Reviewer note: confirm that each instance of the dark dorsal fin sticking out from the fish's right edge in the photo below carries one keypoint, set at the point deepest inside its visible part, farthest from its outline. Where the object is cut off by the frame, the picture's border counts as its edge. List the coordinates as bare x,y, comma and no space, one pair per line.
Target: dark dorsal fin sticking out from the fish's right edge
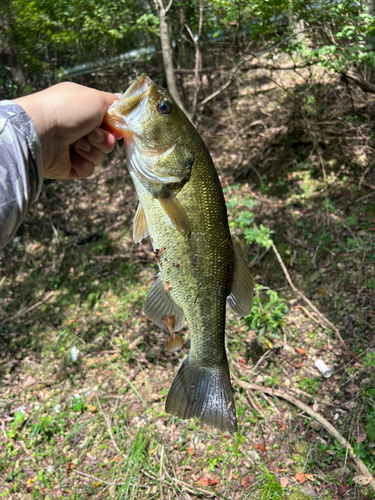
240,299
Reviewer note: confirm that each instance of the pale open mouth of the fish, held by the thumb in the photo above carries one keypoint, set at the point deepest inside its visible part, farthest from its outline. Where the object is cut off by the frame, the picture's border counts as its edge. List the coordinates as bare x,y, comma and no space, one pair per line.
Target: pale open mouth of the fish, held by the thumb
118,114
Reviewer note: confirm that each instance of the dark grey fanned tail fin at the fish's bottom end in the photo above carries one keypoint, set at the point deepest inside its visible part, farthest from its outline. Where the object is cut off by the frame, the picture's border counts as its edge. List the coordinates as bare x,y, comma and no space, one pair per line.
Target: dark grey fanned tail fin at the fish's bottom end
205,393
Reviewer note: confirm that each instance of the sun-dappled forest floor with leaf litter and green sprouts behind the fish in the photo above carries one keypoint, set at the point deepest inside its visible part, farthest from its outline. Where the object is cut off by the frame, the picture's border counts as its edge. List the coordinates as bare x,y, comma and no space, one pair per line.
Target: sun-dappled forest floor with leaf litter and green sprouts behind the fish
84,375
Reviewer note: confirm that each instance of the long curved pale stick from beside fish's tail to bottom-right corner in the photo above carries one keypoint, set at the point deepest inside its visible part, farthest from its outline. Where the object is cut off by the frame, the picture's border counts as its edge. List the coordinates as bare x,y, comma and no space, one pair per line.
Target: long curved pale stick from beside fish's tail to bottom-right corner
327,425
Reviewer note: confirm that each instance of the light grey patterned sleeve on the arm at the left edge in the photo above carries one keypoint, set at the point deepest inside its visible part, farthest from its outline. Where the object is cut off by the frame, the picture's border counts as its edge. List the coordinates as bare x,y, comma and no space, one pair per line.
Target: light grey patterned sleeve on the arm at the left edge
21,169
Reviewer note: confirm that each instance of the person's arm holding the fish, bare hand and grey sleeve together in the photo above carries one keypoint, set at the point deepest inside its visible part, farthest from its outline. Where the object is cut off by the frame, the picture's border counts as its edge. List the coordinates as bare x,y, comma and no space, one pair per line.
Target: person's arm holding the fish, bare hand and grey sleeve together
55,134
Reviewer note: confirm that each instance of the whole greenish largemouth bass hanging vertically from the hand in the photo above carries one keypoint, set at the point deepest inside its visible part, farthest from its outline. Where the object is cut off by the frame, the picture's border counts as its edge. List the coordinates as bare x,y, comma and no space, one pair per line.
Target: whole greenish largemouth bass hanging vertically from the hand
182,209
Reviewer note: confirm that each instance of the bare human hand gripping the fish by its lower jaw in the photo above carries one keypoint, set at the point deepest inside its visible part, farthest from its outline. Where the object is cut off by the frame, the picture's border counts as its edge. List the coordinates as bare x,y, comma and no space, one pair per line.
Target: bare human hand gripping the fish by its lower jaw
67,117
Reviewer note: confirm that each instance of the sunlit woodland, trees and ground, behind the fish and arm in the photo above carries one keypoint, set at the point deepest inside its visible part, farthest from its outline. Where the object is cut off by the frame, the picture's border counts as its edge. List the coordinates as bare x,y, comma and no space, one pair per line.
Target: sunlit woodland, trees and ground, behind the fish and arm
283,94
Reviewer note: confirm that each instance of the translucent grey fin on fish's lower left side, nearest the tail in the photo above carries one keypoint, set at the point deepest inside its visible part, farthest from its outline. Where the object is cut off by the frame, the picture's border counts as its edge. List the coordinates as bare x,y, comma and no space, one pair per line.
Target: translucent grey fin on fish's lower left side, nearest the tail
160,303
